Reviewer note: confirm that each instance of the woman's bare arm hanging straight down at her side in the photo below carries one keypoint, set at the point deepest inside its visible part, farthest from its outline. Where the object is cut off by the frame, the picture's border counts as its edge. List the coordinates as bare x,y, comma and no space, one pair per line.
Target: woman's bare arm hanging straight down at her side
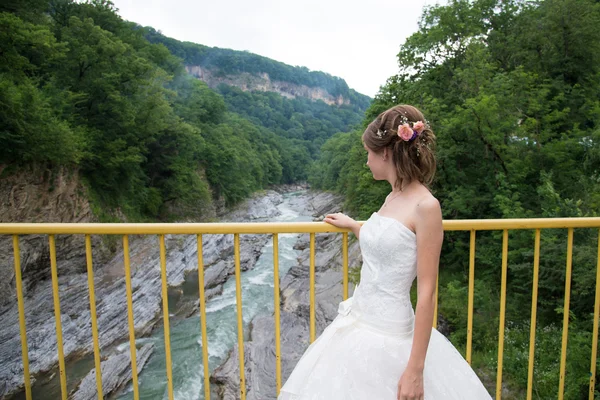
430,234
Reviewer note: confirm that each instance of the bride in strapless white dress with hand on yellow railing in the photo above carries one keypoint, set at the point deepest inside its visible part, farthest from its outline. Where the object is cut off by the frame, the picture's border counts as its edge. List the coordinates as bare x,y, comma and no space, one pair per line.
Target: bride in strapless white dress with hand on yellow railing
378,347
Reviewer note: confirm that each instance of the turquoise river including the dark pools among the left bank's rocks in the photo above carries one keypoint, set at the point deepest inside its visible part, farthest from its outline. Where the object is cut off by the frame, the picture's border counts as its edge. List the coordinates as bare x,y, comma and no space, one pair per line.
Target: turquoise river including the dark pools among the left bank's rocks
186,342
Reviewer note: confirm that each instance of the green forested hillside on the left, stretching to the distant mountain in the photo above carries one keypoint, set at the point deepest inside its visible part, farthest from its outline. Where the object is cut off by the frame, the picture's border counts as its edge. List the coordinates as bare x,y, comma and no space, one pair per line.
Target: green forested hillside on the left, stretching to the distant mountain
81,87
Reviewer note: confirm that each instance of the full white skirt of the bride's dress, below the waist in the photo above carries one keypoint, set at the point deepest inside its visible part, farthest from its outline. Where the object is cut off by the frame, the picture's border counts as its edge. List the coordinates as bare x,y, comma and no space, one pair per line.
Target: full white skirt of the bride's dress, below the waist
354,360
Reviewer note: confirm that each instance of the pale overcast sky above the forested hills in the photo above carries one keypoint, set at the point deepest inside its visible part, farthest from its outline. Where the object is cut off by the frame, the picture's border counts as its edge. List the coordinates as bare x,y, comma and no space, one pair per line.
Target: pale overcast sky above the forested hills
357,40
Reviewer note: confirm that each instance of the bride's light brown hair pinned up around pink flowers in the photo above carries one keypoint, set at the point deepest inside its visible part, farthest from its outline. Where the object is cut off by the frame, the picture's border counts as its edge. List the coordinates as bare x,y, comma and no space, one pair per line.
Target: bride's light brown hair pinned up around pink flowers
415,159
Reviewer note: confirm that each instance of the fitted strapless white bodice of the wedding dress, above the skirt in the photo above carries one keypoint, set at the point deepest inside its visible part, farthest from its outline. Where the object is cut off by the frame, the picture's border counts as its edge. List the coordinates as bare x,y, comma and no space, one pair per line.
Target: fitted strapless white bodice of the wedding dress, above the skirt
389,251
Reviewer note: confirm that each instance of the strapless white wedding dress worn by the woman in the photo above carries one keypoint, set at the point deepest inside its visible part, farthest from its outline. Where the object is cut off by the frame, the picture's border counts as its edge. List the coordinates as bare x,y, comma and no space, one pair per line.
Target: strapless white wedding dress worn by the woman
364,351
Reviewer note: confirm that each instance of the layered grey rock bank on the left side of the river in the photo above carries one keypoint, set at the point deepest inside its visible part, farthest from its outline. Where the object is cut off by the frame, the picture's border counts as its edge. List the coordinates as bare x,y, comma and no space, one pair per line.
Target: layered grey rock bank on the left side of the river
111,298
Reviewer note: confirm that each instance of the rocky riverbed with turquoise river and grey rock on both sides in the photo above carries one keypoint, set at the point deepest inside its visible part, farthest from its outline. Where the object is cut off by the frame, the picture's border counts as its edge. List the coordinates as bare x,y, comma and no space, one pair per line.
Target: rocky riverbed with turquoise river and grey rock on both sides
183,294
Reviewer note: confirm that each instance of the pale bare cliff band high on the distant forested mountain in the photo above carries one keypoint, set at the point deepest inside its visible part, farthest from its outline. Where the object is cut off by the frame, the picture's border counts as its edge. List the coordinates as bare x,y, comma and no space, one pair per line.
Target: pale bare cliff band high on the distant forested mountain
263,83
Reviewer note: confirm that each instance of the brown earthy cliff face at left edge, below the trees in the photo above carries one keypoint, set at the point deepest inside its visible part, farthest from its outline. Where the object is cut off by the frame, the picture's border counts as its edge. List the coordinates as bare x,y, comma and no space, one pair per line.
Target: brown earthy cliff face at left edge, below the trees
38,194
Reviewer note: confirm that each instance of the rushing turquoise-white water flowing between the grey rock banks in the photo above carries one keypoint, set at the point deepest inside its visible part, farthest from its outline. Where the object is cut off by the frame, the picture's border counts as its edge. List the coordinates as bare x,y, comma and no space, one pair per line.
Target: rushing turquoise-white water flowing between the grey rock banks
221,318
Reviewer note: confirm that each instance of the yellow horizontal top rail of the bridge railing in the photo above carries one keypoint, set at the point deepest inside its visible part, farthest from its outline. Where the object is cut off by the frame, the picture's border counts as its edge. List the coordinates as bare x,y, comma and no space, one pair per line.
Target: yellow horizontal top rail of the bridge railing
275,227
